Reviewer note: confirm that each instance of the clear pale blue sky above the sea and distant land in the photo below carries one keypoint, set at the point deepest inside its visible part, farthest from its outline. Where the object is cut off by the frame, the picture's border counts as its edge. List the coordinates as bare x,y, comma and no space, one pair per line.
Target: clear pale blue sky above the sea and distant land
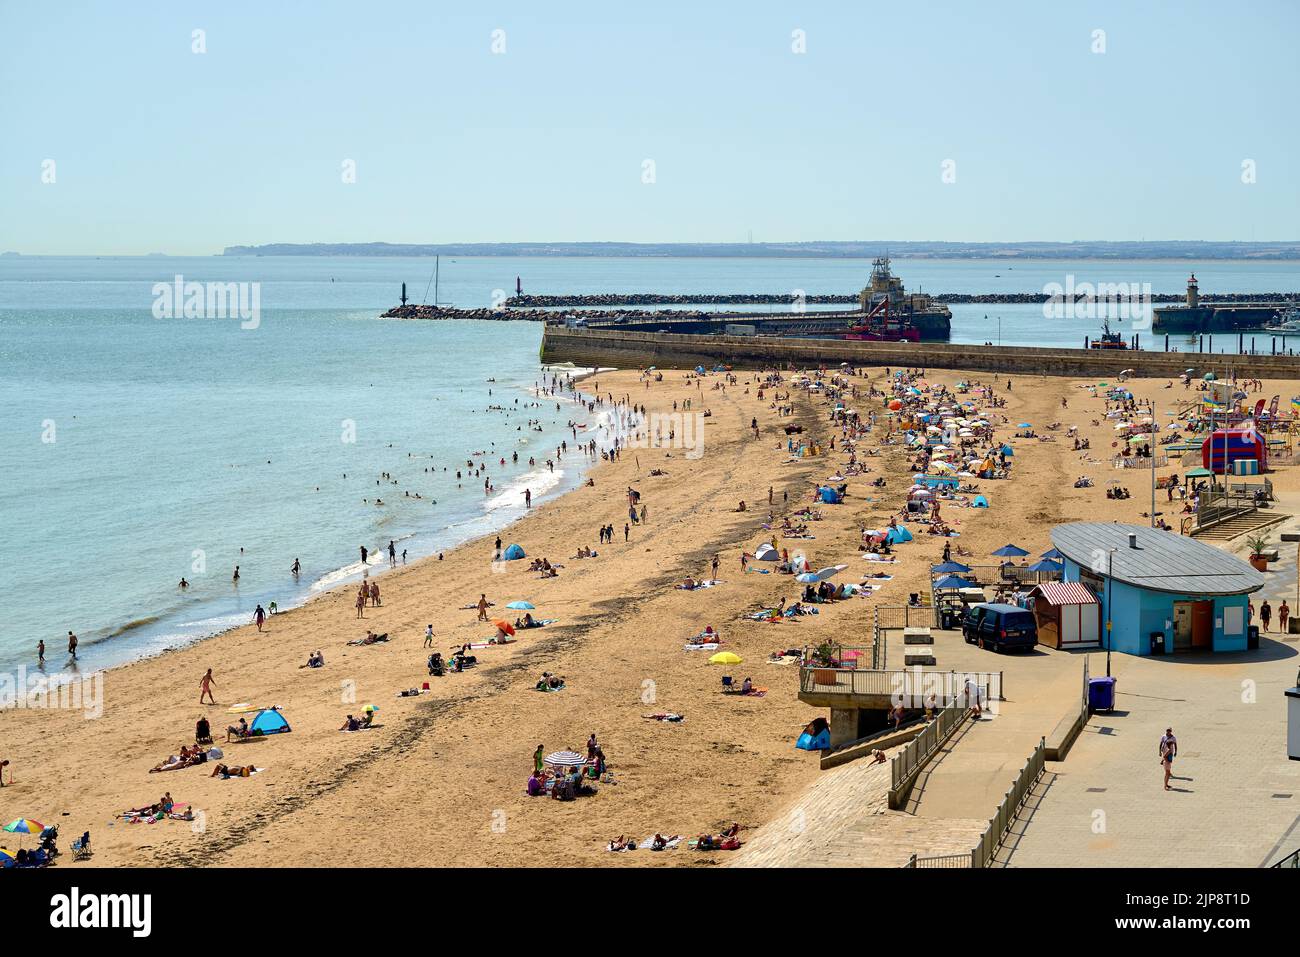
644,123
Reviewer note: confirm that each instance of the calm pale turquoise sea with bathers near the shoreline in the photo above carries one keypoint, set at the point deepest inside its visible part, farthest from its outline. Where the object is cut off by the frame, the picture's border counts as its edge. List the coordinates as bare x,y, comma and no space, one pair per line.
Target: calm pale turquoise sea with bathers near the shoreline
177,443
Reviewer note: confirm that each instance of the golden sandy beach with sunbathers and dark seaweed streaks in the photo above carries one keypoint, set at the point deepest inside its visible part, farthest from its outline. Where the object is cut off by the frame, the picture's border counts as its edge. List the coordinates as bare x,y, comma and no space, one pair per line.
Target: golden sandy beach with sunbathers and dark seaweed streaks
441,780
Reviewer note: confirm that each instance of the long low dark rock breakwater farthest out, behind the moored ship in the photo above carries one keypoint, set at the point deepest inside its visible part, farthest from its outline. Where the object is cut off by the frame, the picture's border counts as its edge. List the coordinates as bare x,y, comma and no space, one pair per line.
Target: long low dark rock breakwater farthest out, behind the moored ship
616,300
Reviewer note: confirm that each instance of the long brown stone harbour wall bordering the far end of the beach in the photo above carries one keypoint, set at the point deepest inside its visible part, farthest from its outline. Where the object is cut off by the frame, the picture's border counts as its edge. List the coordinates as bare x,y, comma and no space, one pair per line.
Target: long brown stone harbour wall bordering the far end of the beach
629,350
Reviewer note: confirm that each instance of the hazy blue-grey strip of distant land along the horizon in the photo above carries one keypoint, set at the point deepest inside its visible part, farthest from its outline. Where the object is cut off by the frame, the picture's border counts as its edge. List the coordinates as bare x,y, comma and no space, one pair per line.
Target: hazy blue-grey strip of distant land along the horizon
1091,250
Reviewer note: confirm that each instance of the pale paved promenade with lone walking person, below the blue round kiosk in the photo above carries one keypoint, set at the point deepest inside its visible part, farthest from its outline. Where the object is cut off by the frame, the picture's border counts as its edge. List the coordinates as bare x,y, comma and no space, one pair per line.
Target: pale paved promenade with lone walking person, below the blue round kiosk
1236,800
